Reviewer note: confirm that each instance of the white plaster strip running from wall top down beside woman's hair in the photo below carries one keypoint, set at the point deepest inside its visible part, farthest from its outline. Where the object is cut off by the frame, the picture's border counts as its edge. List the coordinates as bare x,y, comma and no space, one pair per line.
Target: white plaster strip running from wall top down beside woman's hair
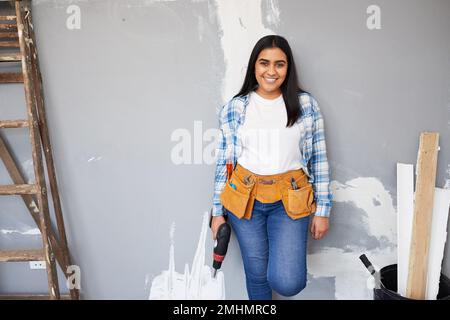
242,26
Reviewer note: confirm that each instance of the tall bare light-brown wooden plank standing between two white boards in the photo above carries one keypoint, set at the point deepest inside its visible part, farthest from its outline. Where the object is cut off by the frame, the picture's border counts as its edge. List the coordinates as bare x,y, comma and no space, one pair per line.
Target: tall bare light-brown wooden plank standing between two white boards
423,209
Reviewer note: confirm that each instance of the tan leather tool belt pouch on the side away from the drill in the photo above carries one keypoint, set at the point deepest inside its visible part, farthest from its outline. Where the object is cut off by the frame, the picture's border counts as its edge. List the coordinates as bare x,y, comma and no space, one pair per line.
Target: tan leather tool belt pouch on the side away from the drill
299,203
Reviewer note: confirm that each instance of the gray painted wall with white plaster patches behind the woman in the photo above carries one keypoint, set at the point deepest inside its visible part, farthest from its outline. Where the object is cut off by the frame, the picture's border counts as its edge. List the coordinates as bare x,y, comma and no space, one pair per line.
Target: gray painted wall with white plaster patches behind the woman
139,71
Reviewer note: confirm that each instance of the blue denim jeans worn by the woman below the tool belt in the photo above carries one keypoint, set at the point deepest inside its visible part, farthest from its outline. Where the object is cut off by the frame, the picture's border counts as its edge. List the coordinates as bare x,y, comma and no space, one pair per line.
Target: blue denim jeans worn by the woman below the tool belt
273,249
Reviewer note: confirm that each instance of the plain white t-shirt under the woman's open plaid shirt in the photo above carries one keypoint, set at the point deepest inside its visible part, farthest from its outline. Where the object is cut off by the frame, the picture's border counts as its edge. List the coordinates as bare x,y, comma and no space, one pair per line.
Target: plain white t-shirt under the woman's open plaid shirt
268,147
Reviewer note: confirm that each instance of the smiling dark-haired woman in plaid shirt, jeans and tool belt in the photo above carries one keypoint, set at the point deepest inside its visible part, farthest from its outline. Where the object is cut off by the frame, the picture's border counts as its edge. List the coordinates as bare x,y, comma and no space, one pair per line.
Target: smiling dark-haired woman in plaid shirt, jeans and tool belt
272,137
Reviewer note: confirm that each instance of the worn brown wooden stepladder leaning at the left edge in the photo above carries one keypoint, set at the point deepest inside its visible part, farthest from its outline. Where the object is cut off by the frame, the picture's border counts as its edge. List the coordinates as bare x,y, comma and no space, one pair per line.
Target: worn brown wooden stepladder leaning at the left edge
17,36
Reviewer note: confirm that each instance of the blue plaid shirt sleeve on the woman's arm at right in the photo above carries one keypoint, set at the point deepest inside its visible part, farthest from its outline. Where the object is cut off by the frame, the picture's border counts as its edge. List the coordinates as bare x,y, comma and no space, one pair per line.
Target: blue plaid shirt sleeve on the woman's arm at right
319,167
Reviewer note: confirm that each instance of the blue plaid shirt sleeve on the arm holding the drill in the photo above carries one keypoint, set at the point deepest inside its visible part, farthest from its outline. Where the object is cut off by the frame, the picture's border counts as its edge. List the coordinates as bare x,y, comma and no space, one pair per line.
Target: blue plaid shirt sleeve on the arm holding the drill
220,176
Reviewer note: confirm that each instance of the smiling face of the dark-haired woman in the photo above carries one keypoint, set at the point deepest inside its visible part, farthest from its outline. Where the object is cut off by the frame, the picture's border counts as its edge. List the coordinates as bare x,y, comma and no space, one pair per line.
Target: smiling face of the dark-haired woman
270,71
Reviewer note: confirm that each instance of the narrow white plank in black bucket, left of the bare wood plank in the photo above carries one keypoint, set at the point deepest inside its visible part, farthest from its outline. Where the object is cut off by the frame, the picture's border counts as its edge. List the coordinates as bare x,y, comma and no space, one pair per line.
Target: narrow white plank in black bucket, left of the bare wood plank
405,209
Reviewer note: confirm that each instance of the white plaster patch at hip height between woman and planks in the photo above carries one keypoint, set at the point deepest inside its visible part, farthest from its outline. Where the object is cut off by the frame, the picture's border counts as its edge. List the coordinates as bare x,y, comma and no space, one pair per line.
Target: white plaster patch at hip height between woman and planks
369,194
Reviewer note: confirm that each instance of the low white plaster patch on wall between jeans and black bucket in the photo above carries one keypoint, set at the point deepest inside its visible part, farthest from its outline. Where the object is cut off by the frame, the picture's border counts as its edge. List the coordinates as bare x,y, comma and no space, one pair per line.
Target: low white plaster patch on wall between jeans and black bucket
351,277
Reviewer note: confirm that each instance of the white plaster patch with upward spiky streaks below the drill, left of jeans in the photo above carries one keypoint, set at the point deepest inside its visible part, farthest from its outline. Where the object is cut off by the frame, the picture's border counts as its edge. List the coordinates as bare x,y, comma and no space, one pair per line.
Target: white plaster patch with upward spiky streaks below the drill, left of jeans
197,284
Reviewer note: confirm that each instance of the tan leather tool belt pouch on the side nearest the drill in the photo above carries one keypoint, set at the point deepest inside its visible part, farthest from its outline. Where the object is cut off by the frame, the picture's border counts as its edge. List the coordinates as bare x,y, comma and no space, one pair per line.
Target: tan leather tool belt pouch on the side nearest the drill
237,199
